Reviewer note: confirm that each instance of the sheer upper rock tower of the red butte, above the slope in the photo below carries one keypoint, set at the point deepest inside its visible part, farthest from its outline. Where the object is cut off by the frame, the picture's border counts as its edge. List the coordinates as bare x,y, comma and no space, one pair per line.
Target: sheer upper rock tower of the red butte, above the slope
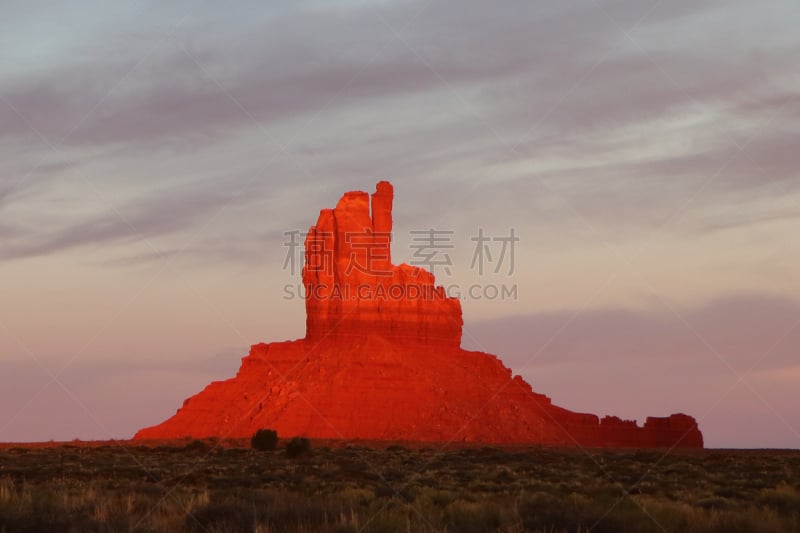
352,287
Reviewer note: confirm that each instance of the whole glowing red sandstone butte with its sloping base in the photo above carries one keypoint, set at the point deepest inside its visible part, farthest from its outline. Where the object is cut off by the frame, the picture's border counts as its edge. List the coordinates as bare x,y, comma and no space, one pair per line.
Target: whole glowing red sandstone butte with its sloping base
382,360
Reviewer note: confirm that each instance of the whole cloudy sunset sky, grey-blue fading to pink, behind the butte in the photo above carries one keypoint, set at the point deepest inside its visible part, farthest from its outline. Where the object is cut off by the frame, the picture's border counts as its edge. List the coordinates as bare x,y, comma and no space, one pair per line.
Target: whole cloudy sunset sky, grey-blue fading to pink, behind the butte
154,155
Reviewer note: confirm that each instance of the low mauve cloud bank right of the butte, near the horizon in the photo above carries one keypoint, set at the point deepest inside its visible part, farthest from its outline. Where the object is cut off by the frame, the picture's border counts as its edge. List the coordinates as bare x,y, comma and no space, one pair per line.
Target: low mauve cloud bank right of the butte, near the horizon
740,329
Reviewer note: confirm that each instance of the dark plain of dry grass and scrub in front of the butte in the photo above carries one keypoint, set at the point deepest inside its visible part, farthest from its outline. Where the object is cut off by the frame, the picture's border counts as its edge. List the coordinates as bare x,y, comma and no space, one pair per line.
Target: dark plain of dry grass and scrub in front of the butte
199,487
